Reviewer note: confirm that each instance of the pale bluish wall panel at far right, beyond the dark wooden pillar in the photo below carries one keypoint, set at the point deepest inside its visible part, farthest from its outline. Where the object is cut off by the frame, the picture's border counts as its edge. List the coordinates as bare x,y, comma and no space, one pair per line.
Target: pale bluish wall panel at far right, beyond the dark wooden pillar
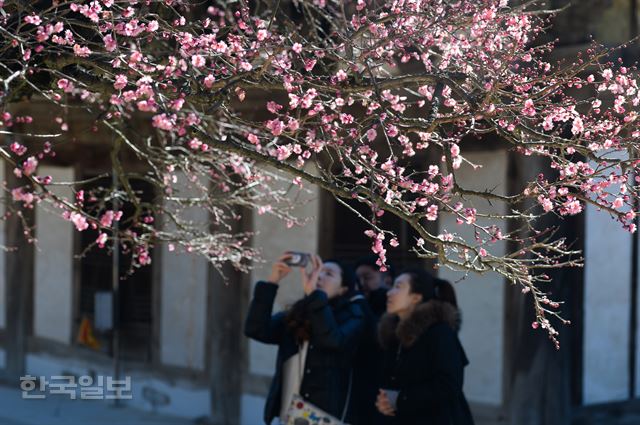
607,277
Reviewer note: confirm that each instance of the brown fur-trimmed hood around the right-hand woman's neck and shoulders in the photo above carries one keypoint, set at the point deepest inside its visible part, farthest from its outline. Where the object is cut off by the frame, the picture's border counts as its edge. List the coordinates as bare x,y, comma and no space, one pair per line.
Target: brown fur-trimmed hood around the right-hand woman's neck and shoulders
425,315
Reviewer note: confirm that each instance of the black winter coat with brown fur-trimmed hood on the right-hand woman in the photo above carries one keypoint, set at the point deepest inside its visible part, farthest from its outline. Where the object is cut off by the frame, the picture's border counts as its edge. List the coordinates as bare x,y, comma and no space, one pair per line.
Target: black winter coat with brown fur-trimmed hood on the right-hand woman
425,361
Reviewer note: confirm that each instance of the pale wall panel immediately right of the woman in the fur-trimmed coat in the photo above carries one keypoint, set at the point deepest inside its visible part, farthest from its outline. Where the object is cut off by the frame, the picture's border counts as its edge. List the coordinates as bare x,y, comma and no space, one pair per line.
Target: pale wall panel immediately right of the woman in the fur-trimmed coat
481,297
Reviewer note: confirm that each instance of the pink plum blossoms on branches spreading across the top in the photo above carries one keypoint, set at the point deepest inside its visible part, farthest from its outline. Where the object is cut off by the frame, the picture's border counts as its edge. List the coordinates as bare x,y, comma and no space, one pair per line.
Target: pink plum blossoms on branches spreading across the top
380,100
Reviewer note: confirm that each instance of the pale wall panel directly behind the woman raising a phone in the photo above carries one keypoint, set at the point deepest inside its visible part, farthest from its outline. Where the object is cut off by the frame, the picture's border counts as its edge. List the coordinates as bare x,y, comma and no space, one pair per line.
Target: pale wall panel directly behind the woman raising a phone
273,238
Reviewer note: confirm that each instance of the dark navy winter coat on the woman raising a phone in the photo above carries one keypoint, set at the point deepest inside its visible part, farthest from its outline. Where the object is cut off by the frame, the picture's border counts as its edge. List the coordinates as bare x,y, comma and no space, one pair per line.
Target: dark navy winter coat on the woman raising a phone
335,332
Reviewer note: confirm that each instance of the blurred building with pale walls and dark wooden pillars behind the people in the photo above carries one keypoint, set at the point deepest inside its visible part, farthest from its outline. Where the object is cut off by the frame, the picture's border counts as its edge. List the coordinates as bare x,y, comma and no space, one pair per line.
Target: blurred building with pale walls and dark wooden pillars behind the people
181,326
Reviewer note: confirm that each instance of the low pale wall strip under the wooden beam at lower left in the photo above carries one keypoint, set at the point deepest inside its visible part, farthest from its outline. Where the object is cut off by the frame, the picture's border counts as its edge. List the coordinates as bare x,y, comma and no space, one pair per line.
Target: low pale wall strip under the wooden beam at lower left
185,398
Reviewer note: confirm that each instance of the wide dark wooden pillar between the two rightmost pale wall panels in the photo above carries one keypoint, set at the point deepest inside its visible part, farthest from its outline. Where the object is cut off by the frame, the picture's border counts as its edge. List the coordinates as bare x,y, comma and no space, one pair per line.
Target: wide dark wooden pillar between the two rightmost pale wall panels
542,384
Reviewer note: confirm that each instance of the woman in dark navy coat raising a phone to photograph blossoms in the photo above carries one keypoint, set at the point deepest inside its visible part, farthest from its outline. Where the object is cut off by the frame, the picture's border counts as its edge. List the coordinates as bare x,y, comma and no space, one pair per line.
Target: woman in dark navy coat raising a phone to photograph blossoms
317,337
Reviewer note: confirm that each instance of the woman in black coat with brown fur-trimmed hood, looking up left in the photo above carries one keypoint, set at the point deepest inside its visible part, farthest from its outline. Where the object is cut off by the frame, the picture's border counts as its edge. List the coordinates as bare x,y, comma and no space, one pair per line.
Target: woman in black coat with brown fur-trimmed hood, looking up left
424,360
